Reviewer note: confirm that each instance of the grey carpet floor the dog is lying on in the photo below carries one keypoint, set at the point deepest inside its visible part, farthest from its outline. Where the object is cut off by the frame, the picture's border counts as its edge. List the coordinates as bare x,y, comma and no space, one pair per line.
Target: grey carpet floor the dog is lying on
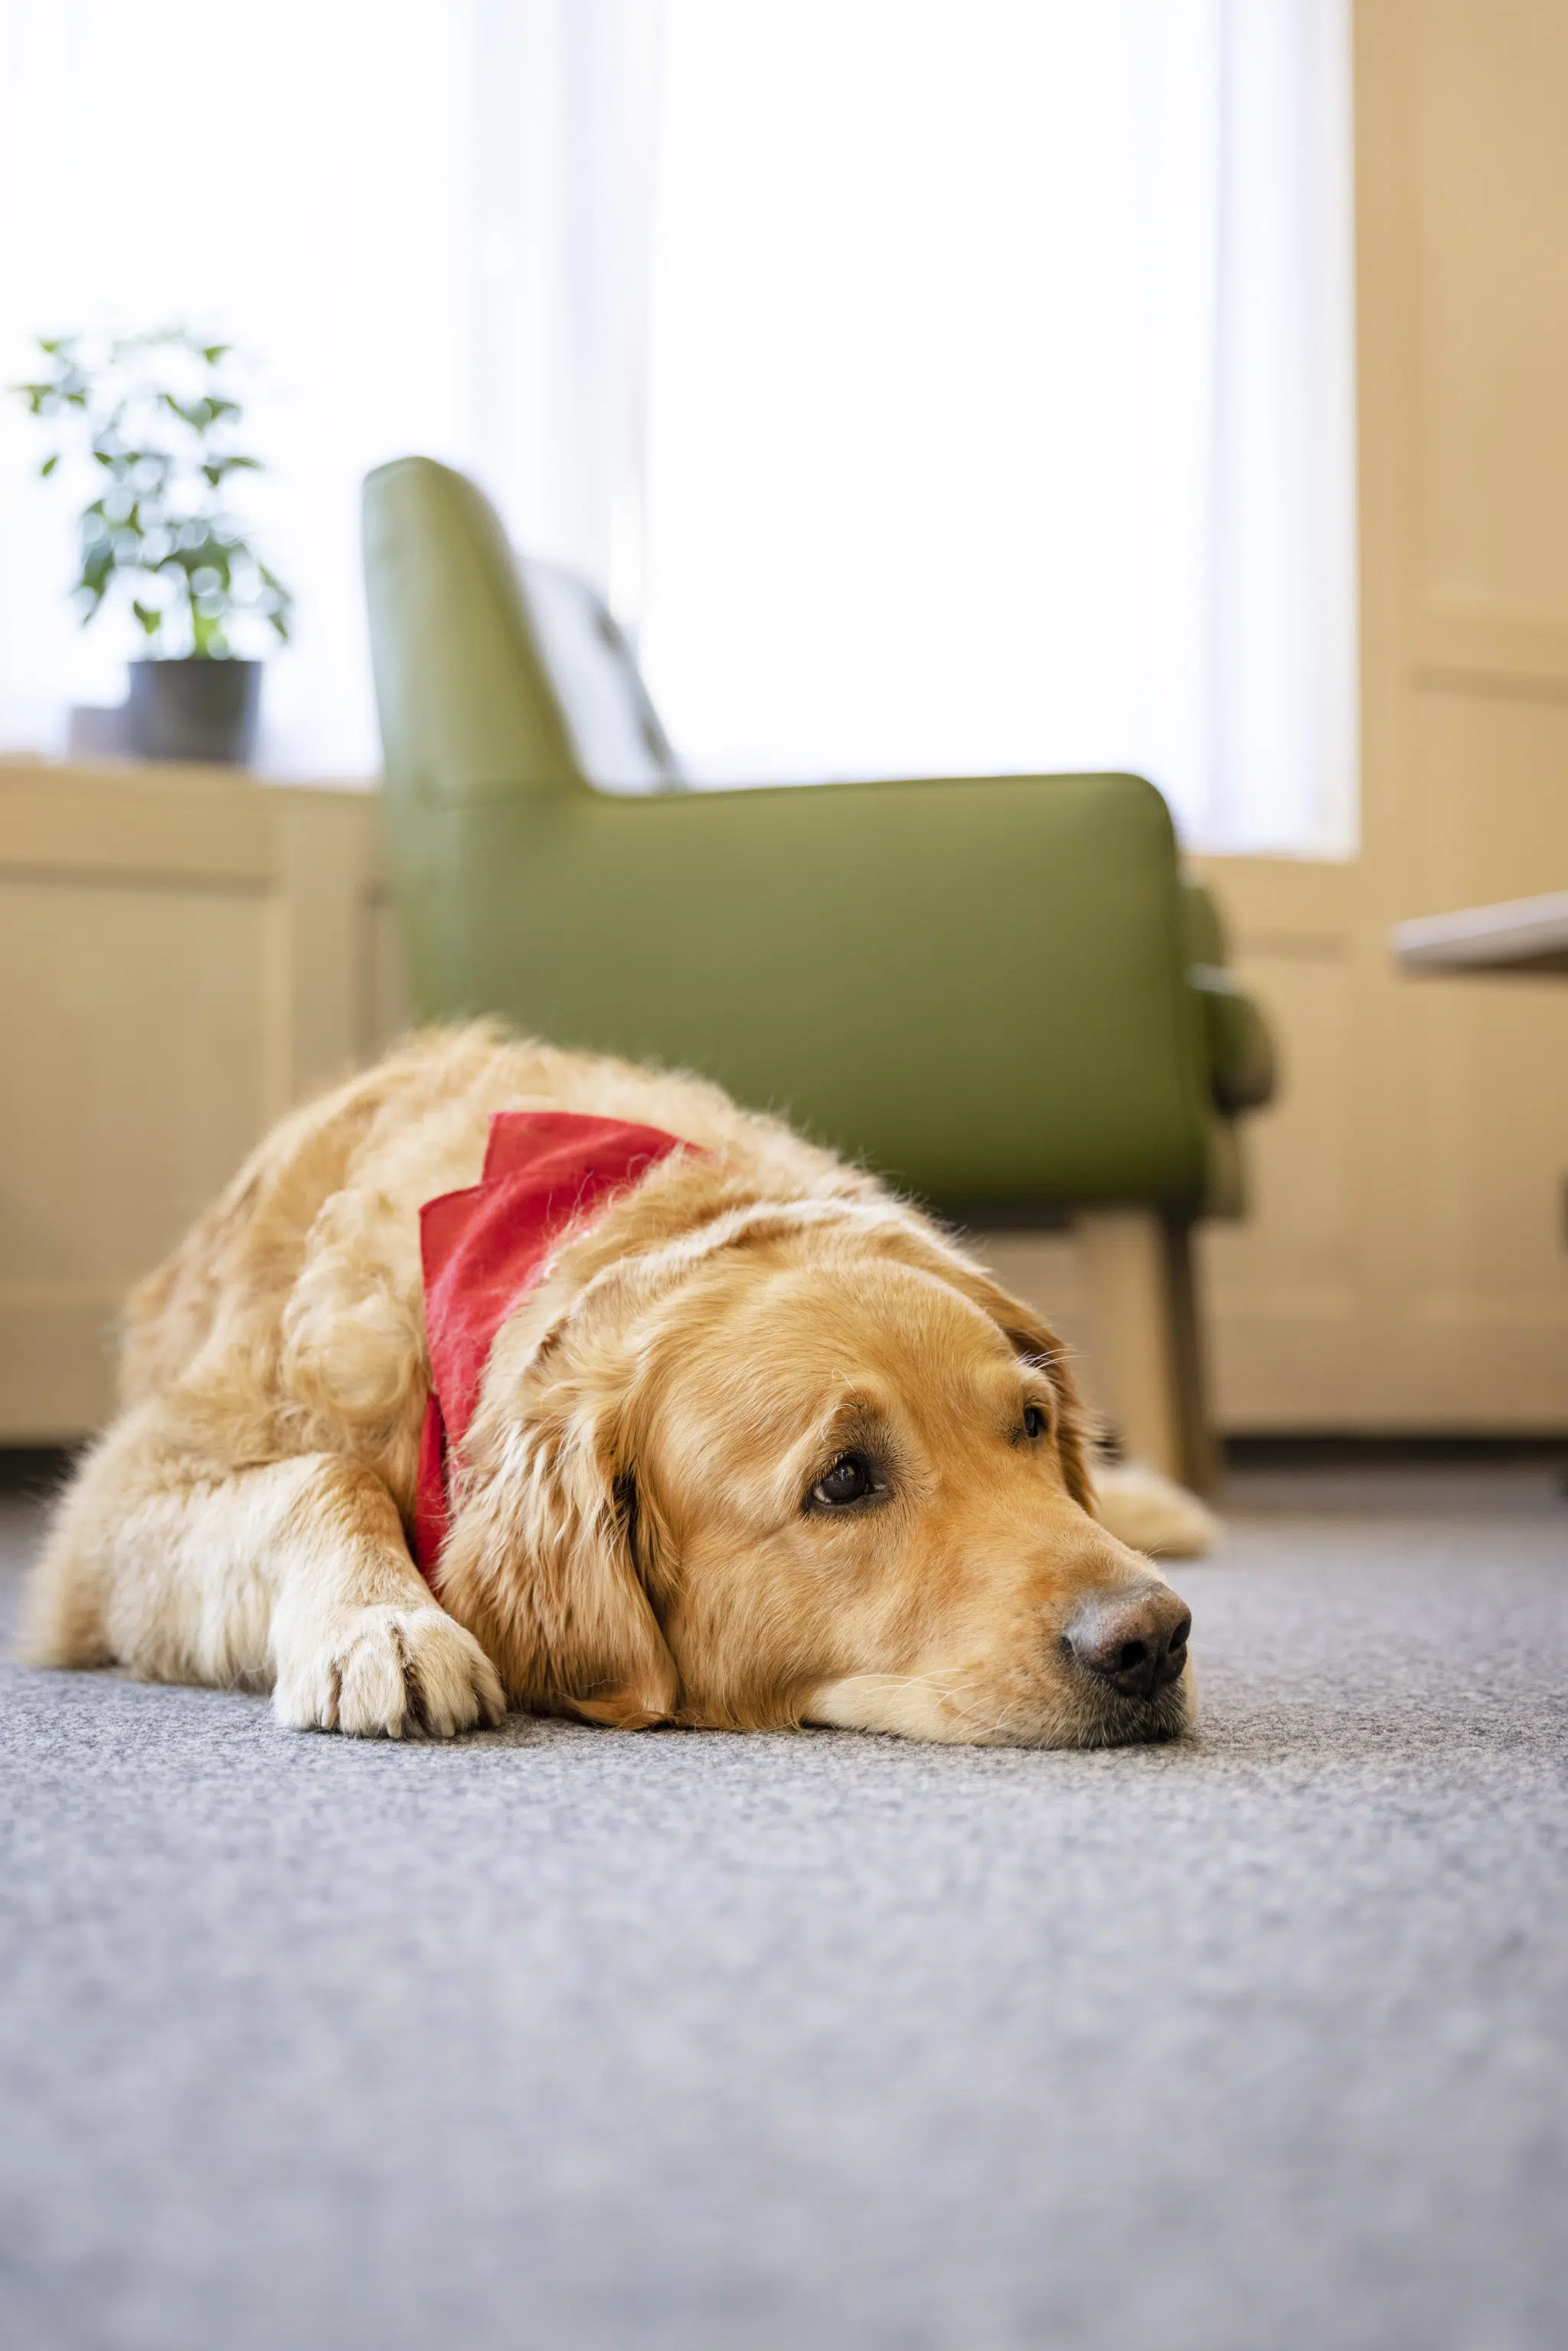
577,2039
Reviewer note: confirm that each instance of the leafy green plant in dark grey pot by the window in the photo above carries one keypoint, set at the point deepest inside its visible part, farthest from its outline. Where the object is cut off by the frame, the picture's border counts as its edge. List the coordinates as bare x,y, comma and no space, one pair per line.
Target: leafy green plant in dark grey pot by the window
149,422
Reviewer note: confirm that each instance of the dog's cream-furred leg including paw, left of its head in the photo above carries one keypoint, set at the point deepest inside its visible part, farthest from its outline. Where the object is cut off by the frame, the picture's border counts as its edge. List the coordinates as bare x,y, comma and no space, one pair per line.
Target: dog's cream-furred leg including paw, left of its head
293,1576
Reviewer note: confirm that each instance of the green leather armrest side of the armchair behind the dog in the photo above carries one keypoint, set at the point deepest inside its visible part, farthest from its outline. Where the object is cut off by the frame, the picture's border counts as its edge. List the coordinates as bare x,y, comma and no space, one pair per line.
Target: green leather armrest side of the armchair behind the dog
974,984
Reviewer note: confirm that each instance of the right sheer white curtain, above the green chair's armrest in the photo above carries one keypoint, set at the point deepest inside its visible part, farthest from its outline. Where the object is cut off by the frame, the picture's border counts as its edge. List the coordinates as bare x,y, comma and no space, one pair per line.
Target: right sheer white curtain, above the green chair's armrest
1003,398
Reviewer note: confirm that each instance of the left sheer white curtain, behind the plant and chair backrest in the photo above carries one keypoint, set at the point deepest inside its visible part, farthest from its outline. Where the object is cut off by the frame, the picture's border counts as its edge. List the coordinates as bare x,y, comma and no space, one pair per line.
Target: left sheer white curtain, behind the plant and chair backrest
429,220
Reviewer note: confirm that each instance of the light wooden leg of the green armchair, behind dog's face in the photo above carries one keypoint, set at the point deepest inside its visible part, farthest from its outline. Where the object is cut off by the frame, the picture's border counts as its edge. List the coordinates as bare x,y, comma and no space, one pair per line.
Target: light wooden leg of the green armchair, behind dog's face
1151,1344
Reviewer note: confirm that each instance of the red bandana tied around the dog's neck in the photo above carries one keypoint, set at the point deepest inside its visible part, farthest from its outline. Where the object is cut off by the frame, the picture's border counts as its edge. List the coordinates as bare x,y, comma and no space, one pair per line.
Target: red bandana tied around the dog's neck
485,1250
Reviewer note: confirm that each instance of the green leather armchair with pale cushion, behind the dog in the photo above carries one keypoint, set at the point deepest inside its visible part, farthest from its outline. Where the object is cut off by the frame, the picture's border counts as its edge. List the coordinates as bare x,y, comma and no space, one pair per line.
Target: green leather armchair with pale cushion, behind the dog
998,991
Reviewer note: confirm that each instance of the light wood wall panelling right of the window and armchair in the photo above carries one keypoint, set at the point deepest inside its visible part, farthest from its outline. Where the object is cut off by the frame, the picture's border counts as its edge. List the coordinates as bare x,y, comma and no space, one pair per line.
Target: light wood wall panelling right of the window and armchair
1407,1266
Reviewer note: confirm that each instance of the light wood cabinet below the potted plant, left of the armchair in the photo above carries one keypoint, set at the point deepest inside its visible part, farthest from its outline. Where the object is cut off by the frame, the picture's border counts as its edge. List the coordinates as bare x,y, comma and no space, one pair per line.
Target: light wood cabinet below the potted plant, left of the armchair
182,956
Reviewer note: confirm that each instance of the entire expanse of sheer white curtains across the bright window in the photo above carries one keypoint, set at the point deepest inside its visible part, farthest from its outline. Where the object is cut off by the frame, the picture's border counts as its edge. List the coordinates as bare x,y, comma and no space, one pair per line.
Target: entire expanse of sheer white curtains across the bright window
937,384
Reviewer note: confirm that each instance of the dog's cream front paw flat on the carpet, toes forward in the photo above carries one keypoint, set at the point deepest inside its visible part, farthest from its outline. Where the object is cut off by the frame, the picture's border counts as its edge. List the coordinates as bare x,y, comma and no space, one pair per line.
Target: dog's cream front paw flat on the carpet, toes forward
387,1673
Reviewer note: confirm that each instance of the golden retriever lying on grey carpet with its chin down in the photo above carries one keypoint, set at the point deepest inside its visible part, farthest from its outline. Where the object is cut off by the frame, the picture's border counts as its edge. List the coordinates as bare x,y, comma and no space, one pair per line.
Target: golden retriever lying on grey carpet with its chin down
758,1447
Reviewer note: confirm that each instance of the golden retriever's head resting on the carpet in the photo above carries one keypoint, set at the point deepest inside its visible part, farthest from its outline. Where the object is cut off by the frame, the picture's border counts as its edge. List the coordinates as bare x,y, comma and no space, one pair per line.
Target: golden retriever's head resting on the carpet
805,1463
